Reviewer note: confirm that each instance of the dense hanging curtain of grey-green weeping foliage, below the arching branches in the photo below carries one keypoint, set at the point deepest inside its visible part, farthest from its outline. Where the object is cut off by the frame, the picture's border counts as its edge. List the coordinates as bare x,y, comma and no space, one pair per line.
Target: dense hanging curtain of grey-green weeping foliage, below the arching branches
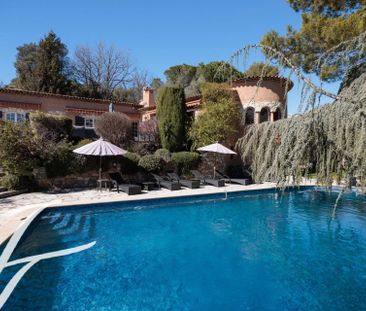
329,141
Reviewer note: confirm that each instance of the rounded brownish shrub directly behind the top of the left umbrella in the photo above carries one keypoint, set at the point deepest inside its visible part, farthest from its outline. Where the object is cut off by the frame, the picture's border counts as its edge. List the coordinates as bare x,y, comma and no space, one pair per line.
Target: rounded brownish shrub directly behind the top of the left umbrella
115,127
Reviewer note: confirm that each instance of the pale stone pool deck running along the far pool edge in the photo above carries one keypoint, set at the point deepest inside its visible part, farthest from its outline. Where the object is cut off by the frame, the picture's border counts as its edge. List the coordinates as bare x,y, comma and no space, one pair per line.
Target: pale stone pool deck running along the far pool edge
15,210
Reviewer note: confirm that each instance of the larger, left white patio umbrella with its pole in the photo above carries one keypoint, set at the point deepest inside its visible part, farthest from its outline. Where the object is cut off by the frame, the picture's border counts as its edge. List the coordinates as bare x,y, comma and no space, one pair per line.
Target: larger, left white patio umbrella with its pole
100,148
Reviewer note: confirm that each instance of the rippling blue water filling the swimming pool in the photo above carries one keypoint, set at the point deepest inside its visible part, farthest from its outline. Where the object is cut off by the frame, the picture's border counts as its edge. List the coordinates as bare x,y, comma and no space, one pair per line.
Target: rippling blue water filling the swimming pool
260,251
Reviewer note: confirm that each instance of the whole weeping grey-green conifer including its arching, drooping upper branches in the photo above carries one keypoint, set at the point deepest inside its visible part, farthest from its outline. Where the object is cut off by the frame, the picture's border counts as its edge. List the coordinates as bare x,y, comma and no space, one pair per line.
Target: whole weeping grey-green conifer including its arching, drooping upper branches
327,141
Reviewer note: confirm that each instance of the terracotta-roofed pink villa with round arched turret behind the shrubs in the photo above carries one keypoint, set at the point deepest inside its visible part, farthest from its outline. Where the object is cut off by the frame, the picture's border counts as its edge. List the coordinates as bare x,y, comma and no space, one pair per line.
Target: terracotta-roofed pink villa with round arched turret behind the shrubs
261,102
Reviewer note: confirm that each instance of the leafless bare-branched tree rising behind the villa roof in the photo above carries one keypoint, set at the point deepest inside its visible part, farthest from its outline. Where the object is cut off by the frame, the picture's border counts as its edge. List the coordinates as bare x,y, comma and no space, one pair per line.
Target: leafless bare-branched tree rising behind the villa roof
102,70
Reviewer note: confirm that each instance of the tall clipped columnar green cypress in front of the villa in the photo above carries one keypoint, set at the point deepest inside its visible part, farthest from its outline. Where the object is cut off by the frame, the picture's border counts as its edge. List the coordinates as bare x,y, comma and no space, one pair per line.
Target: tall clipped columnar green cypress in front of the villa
172,117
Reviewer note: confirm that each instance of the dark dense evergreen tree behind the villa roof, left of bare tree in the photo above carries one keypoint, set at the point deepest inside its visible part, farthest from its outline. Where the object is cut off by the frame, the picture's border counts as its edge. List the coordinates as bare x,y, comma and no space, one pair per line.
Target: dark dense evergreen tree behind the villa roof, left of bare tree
43,66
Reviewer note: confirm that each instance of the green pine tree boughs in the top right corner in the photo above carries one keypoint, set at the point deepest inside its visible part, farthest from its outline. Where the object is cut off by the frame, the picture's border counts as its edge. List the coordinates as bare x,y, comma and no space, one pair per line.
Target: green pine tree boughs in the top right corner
325,25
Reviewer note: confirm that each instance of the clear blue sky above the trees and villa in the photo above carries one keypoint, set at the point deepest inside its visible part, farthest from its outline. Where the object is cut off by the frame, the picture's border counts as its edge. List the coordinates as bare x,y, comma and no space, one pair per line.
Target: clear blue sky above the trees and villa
157,34
